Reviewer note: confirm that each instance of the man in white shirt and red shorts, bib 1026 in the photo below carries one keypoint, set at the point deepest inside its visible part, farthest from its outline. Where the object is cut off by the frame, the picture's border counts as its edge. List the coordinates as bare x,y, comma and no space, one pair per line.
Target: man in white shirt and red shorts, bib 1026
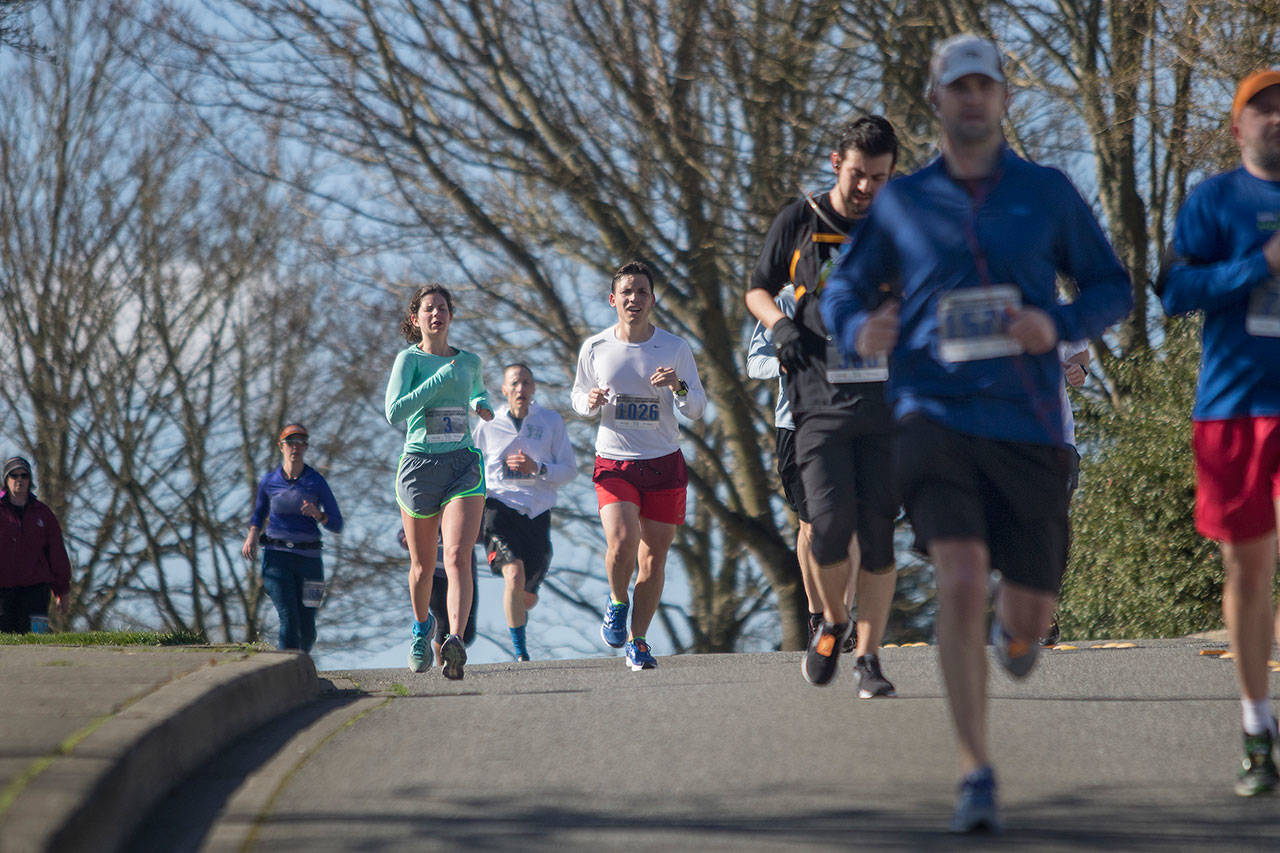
637,377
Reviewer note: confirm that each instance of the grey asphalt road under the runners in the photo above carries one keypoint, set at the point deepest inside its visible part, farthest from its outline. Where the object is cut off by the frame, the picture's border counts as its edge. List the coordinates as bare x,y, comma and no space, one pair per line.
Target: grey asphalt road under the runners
1131,750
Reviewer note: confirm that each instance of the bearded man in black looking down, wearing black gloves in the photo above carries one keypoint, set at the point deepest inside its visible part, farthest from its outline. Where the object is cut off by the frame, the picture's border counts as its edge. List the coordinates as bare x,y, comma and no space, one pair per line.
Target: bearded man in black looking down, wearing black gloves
844,444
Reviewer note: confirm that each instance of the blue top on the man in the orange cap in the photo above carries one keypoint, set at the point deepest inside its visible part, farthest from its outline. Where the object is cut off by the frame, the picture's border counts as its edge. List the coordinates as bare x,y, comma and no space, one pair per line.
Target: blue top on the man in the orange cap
1219,268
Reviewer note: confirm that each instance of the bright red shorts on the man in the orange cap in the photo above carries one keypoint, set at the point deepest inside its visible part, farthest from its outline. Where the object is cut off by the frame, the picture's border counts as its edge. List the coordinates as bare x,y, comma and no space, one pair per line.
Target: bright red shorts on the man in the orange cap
1237,477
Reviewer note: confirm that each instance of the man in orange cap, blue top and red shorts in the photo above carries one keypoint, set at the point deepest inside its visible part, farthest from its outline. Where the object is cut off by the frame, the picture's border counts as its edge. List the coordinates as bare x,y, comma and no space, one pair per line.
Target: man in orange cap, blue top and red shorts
1227,263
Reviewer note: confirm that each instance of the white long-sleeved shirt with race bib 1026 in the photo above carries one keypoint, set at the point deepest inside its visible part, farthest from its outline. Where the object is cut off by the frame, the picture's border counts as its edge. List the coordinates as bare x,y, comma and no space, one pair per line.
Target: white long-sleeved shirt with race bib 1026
639,421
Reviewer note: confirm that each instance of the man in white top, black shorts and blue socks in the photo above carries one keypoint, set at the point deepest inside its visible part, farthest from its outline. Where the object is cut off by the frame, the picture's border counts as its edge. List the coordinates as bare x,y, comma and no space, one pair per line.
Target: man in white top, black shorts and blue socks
528,457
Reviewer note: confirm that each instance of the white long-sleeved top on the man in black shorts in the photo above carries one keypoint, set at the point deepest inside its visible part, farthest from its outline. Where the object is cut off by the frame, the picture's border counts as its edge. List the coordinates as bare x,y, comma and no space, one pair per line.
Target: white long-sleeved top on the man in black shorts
543,437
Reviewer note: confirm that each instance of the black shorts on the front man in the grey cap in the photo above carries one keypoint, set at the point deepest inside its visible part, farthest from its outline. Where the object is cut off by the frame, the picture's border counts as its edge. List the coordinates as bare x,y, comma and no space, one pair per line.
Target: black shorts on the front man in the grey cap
1011,495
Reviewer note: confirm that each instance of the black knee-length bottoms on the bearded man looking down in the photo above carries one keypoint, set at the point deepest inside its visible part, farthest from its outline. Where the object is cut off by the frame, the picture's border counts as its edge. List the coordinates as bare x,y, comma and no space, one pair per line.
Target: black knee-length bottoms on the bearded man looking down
847,467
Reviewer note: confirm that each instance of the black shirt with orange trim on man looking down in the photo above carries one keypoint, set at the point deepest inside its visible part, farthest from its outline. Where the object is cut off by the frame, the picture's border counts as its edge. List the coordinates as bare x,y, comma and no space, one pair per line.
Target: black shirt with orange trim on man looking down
801,249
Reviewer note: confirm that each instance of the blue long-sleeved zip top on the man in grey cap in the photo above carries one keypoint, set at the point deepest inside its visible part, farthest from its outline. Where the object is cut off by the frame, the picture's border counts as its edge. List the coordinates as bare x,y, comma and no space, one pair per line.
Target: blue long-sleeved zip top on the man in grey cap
958,259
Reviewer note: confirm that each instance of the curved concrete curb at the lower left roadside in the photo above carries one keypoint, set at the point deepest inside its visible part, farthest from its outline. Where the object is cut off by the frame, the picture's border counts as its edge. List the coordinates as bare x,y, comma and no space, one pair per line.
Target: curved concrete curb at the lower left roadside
94,799
